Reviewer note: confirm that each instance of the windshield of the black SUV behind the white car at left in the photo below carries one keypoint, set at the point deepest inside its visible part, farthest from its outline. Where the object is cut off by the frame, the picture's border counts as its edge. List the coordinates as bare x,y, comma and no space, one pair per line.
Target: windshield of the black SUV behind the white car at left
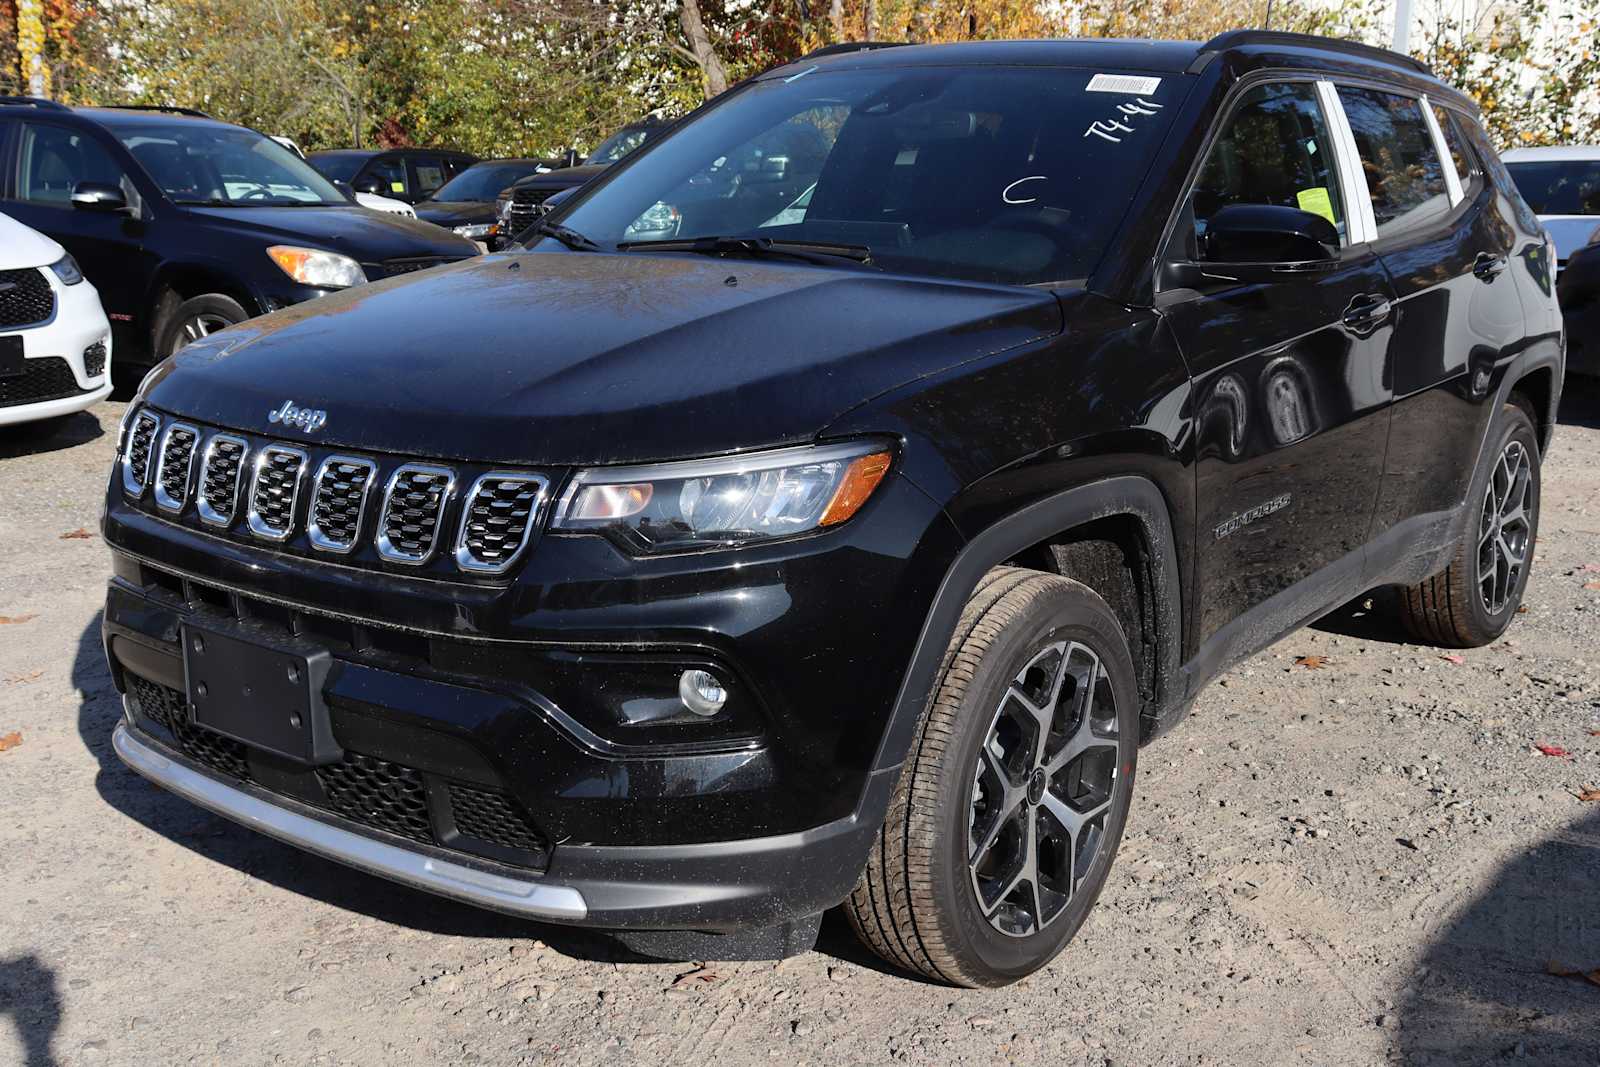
225,166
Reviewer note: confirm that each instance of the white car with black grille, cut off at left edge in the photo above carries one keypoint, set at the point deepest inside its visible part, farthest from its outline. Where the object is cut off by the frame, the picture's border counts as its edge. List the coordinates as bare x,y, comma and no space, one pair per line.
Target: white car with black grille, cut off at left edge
55,340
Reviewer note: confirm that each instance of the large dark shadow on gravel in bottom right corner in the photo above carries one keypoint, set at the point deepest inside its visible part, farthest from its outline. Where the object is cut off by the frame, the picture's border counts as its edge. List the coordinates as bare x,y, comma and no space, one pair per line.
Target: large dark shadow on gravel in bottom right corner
1484,991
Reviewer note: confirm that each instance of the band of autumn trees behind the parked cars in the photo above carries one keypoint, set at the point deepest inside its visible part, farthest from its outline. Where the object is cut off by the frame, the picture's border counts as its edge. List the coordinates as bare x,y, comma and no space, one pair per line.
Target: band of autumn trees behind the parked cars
508,78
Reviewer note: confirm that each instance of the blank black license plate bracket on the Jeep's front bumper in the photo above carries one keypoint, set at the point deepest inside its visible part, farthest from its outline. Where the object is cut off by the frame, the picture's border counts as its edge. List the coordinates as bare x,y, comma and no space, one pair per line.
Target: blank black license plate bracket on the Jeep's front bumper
266,695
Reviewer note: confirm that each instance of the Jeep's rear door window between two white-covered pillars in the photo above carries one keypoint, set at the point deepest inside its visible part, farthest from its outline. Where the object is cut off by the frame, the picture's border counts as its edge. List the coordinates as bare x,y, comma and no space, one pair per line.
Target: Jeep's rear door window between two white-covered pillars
1404,174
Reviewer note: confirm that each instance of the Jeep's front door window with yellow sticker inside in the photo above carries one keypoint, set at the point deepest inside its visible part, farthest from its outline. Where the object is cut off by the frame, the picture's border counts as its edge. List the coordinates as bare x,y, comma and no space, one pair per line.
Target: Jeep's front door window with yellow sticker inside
1276,150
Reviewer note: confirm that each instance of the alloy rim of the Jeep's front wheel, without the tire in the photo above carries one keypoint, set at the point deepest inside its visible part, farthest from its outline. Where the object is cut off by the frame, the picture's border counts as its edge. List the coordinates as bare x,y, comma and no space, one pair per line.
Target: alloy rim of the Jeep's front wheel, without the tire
1044,789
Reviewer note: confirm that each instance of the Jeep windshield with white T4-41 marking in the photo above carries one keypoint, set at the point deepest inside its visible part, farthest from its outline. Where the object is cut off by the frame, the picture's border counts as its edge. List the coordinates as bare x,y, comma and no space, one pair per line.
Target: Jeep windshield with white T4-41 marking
1015,175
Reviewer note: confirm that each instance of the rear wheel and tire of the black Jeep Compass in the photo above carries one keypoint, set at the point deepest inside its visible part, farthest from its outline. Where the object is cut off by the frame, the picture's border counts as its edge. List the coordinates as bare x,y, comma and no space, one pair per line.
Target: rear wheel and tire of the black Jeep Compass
1473,601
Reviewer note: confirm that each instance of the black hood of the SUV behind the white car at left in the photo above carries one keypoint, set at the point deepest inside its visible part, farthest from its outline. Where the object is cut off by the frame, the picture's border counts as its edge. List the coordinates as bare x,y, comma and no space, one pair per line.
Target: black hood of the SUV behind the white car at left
358,233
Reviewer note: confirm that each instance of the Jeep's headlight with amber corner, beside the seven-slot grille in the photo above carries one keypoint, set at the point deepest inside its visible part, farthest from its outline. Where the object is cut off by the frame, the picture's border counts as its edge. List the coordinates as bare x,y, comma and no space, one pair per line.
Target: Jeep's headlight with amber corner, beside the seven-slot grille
735,500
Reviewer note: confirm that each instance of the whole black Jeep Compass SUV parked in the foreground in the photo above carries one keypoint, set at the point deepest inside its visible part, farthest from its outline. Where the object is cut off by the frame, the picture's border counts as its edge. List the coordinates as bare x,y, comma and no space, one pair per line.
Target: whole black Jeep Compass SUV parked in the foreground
844,551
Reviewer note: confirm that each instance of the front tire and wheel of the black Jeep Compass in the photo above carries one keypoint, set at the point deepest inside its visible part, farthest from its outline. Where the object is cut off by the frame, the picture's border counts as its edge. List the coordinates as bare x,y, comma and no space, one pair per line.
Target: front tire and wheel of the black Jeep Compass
1009,812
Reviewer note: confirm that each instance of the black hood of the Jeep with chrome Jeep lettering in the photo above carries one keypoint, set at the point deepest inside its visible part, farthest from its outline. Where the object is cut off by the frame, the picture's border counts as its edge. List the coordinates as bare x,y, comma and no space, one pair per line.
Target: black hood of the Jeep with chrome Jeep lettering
593,358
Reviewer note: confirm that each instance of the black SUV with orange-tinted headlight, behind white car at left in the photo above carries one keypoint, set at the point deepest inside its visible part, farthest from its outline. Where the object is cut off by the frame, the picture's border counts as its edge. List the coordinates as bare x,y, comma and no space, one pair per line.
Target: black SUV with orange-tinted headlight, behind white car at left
188,225
